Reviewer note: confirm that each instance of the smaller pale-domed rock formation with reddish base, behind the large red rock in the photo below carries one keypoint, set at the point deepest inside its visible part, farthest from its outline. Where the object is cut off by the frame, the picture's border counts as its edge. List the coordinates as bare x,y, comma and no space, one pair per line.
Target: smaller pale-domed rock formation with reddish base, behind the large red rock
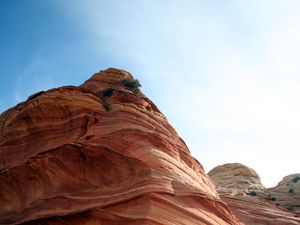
241,188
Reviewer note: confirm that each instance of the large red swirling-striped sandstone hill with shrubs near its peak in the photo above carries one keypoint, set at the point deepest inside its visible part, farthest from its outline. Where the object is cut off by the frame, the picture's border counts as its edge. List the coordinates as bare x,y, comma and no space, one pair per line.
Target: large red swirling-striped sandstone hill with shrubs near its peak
101,153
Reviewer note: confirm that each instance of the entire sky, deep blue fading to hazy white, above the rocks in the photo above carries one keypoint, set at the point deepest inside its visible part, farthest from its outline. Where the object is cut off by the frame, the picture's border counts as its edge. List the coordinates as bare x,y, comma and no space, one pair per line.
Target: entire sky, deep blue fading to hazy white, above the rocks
225,73
